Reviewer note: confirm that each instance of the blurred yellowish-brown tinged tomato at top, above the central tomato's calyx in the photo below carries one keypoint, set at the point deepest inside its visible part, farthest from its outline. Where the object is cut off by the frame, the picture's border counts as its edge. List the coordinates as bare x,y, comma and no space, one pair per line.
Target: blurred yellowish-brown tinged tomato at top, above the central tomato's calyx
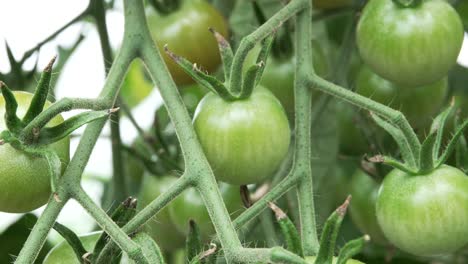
186,33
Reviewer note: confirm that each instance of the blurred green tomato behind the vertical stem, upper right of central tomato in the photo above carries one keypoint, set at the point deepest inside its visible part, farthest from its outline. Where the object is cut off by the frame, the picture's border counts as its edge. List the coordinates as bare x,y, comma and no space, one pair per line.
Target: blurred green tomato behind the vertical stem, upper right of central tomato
278,76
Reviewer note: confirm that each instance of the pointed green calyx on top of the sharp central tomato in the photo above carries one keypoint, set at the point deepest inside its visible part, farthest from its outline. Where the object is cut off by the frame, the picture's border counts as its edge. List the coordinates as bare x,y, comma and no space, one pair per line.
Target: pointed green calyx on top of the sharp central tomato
250,79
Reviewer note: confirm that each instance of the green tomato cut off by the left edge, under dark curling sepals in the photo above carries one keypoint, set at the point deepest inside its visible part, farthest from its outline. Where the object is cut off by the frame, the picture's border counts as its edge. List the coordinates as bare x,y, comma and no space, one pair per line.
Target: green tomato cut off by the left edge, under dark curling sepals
25,178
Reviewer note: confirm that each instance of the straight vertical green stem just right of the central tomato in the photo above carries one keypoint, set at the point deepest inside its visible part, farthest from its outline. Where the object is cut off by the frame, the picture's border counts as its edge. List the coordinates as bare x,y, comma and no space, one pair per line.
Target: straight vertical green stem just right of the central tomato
303,123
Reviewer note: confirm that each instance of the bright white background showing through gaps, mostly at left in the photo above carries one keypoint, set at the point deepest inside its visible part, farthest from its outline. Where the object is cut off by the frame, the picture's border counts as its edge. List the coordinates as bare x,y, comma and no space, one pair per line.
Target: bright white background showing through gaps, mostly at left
24,23
